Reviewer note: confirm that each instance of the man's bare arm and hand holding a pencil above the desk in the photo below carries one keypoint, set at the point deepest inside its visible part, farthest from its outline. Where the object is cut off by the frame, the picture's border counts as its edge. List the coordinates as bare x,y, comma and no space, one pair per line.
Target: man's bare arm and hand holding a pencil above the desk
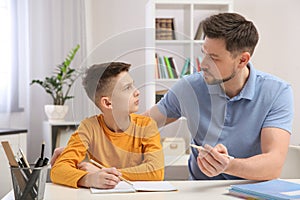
265,166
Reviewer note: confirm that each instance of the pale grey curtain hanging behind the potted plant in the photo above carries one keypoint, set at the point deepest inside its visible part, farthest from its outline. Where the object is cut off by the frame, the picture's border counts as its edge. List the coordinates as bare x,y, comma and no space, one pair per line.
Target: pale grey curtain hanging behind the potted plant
55,27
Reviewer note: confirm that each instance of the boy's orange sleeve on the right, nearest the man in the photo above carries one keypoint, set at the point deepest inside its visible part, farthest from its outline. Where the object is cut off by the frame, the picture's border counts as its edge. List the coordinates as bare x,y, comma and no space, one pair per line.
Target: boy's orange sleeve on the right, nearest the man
152,167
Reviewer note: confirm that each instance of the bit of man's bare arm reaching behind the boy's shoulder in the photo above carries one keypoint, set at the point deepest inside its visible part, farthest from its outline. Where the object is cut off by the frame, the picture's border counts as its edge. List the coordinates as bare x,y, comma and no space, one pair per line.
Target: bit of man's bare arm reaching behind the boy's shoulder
161,120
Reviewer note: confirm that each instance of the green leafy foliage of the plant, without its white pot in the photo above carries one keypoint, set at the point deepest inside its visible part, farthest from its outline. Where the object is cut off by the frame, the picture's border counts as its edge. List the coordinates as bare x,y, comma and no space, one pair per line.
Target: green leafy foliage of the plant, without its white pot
59,84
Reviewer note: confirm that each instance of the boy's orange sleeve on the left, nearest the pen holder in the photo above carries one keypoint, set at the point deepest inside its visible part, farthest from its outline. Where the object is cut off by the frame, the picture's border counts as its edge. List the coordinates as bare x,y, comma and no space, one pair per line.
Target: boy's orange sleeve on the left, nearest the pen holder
65,171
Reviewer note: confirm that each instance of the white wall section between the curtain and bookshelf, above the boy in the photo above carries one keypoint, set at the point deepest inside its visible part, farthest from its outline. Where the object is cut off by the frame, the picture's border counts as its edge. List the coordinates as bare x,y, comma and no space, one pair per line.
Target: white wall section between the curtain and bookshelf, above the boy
115,32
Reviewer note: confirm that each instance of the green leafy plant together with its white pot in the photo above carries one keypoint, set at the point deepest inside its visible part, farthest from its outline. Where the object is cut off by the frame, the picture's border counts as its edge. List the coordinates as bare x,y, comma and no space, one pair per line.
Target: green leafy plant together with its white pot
58,86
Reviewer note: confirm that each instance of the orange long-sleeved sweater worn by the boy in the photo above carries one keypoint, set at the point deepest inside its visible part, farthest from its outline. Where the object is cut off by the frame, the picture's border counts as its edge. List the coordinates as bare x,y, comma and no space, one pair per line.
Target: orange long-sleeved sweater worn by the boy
137,153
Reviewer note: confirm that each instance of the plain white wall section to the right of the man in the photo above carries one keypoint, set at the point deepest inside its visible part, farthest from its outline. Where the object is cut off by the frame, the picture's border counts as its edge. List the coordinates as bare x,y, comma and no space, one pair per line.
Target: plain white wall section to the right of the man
278,48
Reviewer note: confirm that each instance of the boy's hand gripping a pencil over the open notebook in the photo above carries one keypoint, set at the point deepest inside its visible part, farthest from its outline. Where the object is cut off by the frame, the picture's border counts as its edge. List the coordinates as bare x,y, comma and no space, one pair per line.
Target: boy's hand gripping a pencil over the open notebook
106,178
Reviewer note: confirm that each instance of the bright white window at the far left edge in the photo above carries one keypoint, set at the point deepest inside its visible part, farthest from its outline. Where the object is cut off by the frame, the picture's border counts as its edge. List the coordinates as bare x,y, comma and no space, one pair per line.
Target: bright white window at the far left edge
9,57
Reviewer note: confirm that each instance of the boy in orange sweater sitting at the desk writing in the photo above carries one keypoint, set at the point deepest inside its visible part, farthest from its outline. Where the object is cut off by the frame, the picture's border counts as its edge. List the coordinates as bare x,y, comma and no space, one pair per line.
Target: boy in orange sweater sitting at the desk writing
126,143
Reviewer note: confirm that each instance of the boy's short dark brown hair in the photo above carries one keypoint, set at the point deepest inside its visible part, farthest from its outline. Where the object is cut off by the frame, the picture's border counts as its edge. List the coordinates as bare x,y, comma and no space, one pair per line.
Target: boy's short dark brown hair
97,80
